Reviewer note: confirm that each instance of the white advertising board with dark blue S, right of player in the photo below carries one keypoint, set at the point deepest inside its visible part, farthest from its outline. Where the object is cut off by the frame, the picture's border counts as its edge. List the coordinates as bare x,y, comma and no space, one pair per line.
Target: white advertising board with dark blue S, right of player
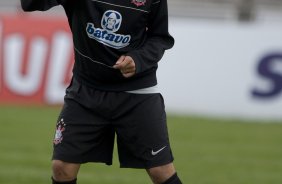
225,69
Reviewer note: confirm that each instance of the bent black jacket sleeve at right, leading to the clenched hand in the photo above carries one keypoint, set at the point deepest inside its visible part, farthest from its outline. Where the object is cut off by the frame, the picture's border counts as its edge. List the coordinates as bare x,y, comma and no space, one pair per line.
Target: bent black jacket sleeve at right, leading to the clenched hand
158,39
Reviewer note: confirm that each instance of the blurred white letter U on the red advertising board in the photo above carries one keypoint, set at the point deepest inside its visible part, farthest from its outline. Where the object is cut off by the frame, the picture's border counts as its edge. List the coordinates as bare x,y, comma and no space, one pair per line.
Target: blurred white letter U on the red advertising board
29,83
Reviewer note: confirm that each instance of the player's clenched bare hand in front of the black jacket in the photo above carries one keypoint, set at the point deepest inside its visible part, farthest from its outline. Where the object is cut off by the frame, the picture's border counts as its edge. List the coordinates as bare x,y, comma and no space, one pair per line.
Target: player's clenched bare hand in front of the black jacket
126,65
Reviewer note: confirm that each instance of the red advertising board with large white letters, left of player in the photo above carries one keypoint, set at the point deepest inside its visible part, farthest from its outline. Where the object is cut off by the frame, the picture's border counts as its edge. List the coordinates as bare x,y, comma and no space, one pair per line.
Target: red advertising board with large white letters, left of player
36,59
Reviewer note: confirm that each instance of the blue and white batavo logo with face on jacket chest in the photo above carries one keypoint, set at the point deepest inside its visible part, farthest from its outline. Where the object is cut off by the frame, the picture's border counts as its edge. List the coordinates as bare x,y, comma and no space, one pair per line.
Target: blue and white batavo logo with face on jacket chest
110,23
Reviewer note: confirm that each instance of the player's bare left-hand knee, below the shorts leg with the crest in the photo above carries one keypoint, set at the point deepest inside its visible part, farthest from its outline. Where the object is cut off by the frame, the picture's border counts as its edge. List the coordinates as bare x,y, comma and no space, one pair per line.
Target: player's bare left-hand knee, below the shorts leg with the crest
63,171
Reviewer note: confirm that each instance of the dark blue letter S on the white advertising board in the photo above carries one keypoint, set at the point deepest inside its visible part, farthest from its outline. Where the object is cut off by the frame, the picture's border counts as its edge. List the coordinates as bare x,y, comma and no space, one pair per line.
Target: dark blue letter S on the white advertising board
270,68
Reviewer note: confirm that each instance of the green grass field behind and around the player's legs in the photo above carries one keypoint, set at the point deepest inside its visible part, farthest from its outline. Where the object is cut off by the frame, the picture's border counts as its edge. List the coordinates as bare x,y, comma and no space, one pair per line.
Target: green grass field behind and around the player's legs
207,151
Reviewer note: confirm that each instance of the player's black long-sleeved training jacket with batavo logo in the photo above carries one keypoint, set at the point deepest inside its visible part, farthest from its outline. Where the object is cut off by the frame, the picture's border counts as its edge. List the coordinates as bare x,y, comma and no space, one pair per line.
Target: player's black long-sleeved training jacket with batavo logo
103,30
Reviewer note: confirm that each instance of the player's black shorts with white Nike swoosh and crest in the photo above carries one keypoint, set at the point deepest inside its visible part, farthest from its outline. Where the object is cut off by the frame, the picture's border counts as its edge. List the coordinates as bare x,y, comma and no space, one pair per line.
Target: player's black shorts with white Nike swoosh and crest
90,119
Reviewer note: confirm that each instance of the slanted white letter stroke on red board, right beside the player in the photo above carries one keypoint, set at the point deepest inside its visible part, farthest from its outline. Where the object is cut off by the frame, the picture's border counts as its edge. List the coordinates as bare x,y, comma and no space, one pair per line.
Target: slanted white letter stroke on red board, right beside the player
59,59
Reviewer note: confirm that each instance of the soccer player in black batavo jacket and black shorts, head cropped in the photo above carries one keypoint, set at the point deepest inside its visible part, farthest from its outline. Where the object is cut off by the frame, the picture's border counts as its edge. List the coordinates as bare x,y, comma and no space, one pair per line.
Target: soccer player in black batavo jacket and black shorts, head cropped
113,92
